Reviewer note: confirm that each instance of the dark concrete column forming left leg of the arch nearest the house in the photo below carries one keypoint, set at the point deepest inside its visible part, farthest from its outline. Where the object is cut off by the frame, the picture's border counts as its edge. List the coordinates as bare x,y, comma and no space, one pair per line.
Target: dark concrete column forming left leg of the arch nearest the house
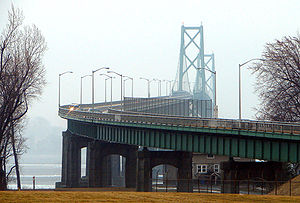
144,170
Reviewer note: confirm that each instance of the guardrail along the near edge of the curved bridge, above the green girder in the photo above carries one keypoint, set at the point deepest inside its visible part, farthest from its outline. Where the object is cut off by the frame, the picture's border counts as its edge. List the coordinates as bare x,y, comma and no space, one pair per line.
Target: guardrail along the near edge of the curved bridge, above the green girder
230,124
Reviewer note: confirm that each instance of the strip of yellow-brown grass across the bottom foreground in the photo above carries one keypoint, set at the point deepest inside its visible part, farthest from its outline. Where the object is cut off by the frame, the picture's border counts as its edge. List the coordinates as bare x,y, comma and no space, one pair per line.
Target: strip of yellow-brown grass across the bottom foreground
114,196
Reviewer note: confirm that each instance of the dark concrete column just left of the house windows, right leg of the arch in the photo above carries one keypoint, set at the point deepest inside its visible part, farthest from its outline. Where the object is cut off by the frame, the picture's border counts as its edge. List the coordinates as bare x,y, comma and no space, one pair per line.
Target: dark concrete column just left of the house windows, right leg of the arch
185,183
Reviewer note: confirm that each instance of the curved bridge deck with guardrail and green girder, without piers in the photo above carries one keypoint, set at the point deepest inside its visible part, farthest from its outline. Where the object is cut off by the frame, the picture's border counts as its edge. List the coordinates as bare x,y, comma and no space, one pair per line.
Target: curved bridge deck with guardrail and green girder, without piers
251,139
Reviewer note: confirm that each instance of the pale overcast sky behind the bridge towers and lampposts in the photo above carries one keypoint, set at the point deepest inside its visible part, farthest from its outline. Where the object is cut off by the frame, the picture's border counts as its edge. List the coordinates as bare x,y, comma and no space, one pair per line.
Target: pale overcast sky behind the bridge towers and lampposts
142,39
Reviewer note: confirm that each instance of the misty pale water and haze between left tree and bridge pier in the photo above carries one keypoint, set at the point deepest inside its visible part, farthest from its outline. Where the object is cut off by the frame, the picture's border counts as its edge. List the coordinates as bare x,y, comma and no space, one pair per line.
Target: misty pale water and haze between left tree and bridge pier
43,157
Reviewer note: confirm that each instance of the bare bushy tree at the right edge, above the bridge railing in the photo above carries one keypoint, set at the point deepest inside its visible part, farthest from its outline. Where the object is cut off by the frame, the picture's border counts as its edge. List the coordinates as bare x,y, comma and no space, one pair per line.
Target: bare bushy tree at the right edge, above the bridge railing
278,80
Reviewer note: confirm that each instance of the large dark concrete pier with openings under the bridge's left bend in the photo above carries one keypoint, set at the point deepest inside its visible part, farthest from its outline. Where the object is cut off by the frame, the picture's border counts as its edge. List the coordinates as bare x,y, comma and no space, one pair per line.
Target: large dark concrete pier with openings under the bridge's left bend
99,172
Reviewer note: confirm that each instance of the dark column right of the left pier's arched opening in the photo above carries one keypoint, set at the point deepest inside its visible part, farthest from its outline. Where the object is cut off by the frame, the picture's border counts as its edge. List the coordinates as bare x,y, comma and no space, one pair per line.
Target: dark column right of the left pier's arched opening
130,169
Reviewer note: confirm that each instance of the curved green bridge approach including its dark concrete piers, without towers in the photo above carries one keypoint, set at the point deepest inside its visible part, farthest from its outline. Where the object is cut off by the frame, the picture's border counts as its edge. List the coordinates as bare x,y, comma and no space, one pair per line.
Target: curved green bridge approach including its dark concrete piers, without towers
111,129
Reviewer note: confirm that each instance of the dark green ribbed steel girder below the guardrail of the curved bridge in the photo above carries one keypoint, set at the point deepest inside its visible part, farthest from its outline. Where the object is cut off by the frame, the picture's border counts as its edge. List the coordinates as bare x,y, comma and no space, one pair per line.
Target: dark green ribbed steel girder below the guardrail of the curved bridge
246,144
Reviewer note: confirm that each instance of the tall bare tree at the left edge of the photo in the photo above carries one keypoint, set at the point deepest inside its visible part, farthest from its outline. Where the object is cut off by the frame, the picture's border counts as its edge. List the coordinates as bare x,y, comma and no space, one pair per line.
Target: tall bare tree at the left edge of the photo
21,79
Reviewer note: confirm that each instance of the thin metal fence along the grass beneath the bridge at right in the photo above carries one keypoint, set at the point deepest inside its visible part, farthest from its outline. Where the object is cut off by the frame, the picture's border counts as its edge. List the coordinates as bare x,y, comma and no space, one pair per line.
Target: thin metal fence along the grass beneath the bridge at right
250,186
